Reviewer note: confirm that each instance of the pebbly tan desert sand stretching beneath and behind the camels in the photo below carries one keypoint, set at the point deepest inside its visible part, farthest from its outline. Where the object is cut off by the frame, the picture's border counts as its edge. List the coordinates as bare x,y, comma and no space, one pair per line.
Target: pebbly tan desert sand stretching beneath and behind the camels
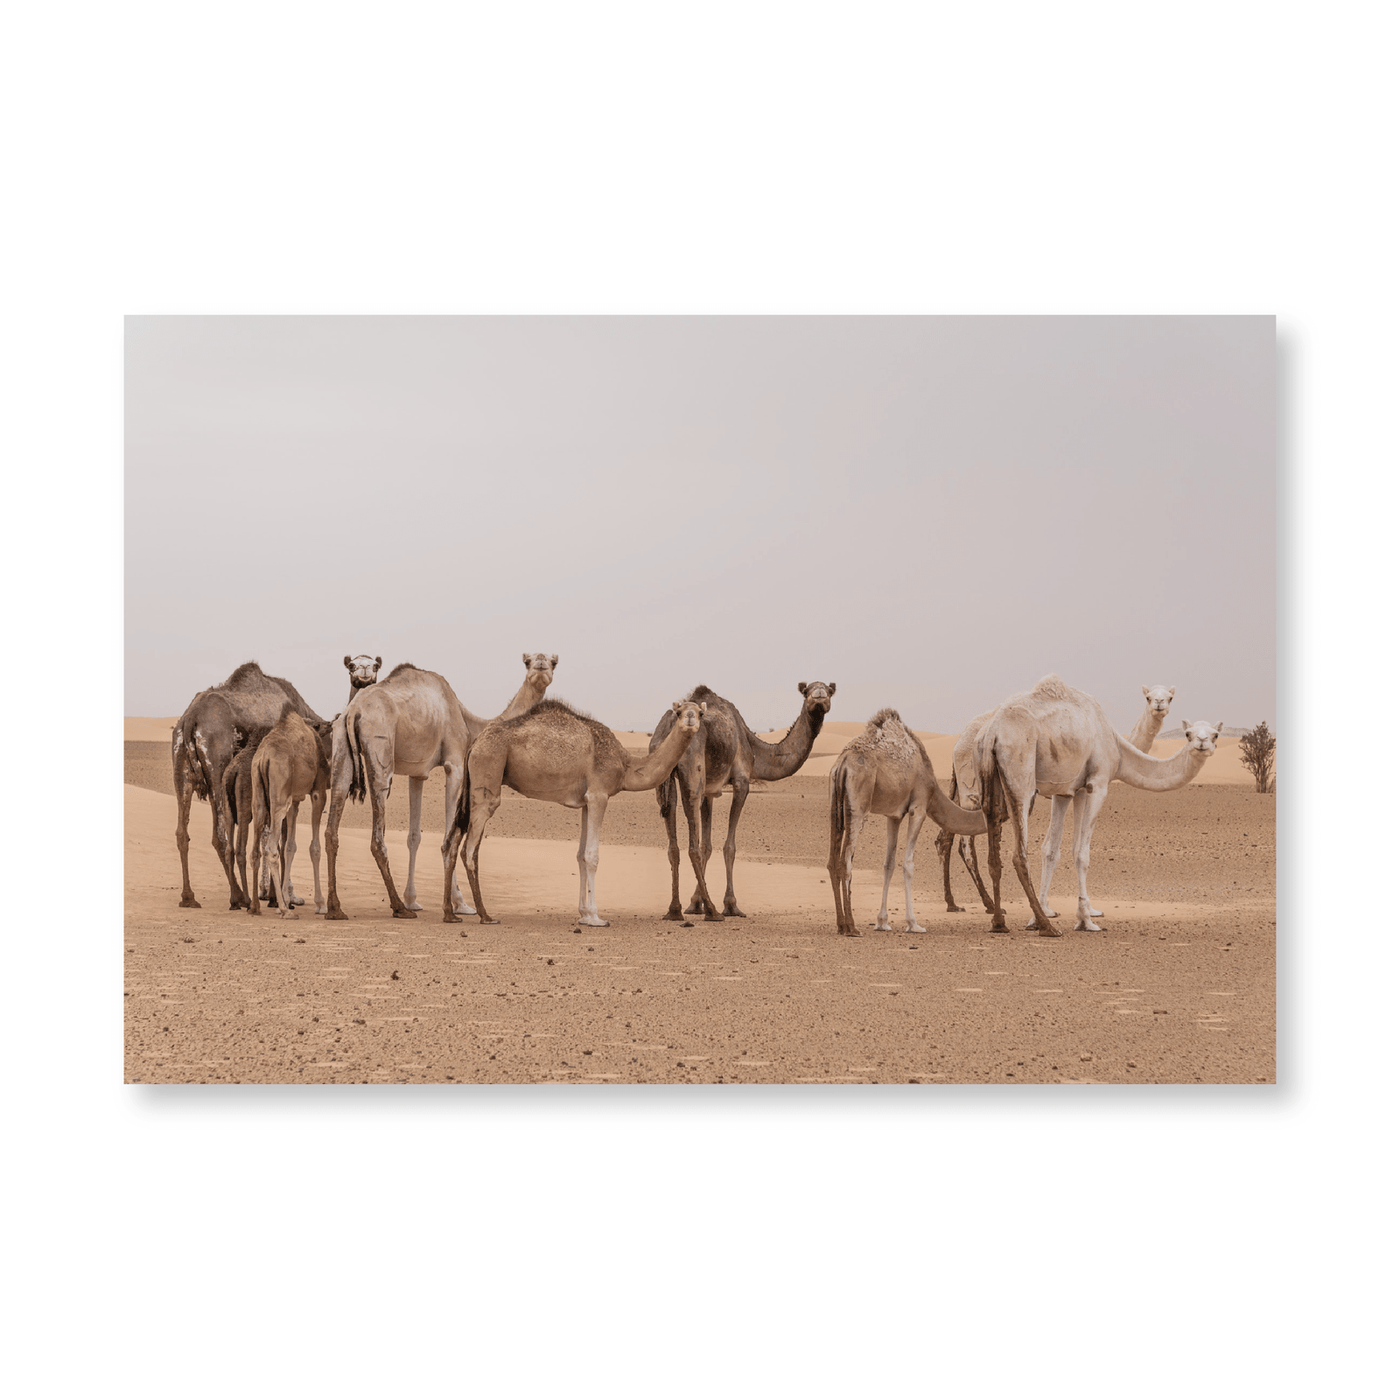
1179,988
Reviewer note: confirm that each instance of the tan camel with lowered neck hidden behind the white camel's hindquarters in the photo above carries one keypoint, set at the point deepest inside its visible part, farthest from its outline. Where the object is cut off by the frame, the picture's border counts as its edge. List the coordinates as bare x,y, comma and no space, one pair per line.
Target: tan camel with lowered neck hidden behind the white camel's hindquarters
887,772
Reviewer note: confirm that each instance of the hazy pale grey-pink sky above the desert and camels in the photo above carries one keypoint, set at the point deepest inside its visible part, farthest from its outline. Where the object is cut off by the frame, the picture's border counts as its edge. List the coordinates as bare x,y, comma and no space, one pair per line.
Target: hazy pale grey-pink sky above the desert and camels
930,512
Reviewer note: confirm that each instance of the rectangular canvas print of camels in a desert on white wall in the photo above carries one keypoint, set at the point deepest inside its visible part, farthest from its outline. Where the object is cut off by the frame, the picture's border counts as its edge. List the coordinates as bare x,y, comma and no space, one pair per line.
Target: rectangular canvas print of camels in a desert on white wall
724,701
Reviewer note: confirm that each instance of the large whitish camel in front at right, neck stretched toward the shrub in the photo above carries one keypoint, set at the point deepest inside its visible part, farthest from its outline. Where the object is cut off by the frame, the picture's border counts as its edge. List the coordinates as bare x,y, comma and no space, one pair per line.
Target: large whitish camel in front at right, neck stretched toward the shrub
1058,741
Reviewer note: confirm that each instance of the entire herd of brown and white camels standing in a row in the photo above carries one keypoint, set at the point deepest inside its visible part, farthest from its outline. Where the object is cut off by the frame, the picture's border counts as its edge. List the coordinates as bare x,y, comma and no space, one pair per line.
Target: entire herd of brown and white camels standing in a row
255,751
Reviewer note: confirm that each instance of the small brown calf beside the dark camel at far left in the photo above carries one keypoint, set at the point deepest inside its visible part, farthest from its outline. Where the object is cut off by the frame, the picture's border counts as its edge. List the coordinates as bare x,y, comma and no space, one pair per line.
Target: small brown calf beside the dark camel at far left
290,765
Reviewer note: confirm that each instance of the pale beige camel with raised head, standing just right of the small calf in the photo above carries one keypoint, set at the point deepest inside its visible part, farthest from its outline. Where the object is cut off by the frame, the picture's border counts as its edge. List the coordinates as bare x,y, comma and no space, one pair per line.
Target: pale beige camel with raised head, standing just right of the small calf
411,723
